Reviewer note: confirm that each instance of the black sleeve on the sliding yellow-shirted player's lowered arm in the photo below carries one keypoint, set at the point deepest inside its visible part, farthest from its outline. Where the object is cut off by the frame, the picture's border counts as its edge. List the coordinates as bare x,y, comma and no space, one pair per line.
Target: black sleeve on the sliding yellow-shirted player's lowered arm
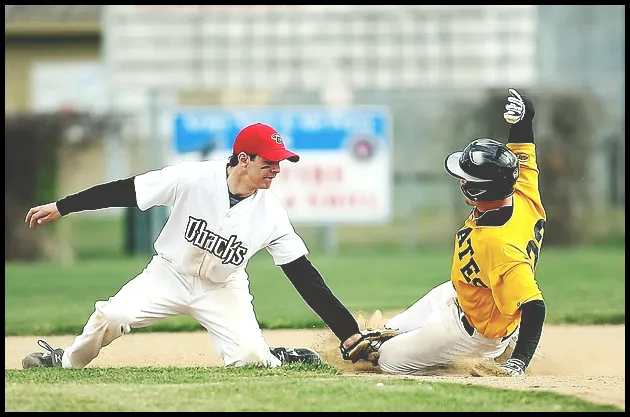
532,319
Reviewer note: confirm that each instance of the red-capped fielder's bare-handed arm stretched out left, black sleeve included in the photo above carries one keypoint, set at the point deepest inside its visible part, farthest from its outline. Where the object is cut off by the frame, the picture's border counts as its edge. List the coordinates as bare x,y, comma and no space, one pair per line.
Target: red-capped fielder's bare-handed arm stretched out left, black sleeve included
119,193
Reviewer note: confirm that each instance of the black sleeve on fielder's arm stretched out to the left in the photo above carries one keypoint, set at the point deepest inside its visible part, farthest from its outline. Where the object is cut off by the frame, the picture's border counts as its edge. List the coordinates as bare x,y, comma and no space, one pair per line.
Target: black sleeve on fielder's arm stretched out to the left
119,193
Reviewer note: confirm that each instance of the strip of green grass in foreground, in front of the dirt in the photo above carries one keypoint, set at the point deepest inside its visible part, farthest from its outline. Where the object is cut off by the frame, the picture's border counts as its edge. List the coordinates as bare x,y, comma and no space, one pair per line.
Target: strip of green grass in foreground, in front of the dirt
290,388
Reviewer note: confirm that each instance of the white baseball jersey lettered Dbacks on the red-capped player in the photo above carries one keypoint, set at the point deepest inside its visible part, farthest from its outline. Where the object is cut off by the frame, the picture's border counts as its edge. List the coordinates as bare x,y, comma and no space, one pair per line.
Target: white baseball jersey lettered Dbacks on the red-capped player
203,236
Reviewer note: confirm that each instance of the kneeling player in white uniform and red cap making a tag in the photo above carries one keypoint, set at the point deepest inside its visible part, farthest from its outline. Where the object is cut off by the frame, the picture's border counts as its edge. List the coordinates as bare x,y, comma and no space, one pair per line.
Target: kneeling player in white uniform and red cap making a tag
221,215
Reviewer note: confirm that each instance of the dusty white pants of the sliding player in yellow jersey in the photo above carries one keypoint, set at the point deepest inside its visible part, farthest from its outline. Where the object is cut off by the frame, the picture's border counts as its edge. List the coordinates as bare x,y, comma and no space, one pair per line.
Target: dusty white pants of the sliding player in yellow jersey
434,336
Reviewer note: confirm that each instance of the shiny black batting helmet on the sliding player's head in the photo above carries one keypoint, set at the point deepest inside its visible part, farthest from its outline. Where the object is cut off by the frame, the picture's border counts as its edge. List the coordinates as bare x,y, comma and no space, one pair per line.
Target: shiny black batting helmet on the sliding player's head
489,168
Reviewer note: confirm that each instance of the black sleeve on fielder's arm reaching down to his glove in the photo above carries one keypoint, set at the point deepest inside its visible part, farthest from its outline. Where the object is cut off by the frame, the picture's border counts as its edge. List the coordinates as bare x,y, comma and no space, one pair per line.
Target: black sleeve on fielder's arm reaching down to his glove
311,286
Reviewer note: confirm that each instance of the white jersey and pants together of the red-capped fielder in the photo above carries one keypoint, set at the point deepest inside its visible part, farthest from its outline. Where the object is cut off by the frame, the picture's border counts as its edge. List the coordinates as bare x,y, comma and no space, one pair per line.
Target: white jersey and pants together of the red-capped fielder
199,269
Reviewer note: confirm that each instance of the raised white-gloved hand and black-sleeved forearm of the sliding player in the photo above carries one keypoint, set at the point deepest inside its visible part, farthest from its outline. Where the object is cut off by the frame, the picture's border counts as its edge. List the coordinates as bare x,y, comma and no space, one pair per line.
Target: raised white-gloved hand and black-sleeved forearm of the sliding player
519,113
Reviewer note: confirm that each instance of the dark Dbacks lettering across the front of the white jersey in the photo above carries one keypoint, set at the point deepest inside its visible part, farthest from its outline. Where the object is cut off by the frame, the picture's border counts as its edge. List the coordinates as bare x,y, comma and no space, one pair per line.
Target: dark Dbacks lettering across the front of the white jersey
229,250
